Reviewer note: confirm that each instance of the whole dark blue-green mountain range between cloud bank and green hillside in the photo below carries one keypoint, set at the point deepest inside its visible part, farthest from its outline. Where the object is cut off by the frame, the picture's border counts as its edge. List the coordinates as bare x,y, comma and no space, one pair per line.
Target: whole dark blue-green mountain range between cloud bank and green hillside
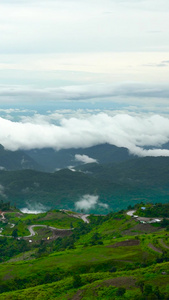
116,180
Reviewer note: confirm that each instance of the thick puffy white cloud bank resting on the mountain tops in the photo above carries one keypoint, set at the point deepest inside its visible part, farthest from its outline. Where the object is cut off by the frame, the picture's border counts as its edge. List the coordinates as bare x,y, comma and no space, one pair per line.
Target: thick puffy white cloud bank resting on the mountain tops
122,130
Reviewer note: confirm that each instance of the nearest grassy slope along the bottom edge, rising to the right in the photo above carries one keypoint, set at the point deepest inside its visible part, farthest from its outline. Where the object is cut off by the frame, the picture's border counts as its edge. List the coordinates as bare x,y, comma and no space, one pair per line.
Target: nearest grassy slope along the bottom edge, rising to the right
102,285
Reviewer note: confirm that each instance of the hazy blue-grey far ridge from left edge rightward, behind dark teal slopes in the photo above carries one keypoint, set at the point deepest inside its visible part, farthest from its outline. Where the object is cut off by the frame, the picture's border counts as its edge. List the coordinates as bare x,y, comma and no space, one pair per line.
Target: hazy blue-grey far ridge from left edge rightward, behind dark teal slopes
50,160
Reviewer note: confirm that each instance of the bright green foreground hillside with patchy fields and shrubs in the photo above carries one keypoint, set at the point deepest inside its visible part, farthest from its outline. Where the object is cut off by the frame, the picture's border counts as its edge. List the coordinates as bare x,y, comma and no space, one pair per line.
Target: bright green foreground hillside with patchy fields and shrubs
112,257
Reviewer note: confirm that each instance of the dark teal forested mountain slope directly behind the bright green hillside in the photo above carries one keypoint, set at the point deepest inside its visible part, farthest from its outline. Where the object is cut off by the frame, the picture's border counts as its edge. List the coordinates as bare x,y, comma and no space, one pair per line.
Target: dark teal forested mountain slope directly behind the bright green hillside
98,187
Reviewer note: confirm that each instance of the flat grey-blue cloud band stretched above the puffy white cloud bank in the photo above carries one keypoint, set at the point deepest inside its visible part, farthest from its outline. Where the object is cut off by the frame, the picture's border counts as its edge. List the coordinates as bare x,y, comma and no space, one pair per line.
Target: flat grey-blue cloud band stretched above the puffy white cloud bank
128,93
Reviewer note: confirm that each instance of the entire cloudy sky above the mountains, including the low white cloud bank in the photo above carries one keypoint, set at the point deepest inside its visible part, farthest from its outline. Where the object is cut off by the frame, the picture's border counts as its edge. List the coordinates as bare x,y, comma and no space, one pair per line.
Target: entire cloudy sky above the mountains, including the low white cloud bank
86,65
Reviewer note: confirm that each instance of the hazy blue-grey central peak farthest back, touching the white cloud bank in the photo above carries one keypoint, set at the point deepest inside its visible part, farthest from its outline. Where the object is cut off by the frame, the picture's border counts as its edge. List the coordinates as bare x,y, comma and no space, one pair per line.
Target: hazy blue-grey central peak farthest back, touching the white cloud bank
50,160
